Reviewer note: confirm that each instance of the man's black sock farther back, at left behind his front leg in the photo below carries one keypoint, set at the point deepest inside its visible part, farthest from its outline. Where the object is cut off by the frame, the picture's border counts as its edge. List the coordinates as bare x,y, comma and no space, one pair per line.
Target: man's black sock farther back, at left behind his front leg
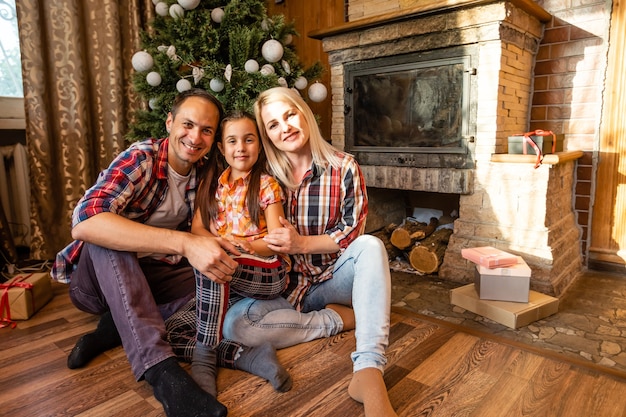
89,346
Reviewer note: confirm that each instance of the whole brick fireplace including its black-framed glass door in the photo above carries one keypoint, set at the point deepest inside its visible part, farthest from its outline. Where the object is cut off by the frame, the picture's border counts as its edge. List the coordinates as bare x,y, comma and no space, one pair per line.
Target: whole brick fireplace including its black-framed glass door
473,61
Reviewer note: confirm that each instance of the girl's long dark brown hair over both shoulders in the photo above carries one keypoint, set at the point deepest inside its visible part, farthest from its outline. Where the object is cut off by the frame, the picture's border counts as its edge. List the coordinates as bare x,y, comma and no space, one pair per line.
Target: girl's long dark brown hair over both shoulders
207,204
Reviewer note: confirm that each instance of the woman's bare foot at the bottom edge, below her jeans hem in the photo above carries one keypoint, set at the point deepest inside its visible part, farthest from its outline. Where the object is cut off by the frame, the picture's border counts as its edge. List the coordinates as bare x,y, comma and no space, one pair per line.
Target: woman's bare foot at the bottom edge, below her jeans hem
368,387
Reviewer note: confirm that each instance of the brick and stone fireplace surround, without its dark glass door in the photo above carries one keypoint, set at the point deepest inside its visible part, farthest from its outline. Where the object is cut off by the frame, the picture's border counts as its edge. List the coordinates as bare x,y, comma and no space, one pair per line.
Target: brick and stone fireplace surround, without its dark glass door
503,202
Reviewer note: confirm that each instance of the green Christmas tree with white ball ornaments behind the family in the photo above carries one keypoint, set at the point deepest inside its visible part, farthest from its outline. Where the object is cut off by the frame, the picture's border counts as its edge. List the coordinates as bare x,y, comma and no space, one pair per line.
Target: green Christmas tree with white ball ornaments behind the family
230,48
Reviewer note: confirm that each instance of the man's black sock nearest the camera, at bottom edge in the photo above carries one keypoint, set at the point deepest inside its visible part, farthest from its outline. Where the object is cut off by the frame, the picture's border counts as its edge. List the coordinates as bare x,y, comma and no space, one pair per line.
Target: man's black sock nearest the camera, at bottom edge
179,393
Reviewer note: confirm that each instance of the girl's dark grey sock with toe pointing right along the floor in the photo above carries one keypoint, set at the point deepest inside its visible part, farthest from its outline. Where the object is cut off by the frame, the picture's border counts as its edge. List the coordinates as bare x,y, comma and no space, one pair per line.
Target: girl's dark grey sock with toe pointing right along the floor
262,361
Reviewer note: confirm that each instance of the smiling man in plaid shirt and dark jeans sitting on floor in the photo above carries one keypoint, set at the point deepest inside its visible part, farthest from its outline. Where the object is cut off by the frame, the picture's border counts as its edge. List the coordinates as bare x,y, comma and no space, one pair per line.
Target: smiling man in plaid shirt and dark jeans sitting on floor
132,258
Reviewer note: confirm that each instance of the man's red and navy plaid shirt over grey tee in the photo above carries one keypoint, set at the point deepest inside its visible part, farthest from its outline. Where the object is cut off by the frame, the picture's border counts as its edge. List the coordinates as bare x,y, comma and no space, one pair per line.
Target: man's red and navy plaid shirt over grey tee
133,186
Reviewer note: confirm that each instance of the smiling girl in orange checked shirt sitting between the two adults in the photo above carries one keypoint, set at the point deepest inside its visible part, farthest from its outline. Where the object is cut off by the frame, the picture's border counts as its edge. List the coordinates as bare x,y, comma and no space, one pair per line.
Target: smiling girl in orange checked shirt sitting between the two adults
242,205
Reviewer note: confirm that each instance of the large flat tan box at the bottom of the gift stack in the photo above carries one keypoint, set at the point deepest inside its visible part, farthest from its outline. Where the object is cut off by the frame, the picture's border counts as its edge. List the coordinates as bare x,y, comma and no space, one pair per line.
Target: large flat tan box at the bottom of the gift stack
513,315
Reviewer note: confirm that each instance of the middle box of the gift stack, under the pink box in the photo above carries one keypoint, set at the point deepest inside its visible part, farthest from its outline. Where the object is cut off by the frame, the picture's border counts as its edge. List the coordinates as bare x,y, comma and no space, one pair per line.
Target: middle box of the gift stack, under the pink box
511,283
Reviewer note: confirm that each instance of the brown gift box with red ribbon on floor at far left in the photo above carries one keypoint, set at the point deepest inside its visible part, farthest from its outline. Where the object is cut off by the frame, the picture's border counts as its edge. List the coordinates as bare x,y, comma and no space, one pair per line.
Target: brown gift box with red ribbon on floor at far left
22,296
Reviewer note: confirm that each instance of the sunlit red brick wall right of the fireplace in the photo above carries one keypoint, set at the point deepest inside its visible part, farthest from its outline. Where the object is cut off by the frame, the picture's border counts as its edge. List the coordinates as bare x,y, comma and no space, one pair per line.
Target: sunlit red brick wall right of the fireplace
569,76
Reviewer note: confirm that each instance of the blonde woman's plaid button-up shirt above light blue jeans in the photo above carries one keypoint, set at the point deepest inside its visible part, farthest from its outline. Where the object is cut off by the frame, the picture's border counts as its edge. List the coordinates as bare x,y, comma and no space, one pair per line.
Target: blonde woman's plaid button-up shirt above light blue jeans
330,201
